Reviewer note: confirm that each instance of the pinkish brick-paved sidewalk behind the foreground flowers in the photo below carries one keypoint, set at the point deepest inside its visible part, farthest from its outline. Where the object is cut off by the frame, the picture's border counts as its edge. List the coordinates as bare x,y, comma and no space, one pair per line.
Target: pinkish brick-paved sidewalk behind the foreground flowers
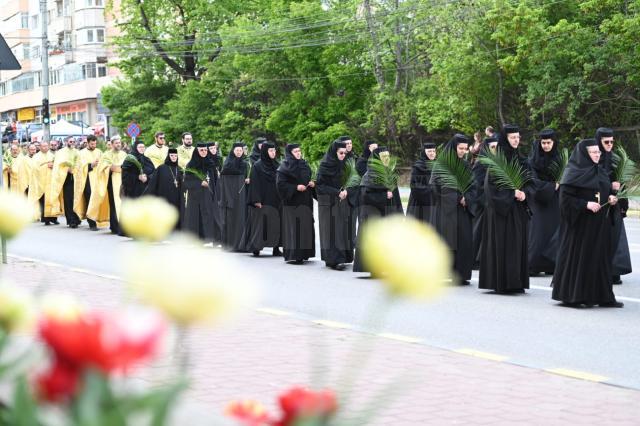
268,351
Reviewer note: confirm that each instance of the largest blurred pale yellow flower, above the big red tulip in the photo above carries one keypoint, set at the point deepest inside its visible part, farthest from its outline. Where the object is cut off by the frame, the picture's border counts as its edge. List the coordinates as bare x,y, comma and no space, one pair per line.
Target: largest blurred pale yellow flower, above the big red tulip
188,283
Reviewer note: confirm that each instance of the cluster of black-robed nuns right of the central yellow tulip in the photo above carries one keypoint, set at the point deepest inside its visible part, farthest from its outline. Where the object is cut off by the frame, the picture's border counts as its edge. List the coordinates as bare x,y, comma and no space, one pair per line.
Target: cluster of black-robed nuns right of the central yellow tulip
571,229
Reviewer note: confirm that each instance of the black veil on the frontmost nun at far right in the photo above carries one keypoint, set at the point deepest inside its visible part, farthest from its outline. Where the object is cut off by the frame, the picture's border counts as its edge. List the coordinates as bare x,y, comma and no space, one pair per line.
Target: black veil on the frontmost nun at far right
581,171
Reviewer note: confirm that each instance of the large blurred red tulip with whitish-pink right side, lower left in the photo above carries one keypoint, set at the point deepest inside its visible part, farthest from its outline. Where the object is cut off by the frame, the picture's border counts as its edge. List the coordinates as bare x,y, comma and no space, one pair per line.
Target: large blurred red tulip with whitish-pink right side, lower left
107,341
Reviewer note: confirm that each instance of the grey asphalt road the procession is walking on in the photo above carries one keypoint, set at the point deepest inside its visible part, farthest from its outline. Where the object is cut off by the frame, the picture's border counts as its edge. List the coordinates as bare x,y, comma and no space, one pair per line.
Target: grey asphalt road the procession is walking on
530,329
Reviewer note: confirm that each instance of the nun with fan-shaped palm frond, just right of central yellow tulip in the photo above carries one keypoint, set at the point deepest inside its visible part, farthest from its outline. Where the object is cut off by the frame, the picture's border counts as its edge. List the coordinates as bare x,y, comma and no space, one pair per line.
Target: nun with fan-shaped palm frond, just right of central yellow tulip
452,217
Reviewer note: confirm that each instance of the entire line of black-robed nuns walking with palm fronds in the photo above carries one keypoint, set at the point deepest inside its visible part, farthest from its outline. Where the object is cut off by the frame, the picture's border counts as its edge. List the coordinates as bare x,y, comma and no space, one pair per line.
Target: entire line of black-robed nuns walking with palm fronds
247,203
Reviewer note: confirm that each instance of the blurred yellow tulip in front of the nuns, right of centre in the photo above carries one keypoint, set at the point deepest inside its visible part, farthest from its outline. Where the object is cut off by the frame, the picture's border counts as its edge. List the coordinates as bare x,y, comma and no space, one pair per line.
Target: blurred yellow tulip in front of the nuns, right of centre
409,256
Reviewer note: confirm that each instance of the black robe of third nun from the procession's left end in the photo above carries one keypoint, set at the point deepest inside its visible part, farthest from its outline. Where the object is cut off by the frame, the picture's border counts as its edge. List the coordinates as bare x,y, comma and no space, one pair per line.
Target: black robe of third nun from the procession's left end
197,207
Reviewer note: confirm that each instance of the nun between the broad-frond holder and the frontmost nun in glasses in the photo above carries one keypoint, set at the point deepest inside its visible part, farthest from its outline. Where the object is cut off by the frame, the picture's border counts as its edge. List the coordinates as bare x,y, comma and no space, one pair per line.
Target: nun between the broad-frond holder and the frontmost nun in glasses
545,207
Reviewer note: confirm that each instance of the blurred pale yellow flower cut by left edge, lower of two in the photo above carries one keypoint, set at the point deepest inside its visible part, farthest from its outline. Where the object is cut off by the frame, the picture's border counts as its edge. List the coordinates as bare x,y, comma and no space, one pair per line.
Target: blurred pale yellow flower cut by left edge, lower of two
17,309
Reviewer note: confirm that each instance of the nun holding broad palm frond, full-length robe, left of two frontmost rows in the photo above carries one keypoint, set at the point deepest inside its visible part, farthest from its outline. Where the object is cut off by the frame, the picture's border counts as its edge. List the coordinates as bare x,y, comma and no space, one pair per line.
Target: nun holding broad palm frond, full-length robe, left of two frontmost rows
504,263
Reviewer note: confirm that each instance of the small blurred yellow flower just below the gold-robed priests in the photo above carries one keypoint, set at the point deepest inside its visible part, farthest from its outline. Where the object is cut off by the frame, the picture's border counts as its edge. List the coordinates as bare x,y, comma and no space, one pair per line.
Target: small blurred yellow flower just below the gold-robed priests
148,218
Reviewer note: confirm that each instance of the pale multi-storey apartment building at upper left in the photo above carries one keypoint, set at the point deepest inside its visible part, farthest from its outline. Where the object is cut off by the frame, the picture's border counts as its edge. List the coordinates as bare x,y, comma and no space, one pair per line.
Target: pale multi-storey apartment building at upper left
78,60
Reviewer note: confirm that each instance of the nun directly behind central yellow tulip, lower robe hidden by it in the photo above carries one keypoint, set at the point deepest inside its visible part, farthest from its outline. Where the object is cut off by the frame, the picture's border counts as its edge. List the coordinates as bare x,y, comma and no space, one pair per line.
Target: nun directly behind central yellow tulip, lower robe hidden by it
375,201
